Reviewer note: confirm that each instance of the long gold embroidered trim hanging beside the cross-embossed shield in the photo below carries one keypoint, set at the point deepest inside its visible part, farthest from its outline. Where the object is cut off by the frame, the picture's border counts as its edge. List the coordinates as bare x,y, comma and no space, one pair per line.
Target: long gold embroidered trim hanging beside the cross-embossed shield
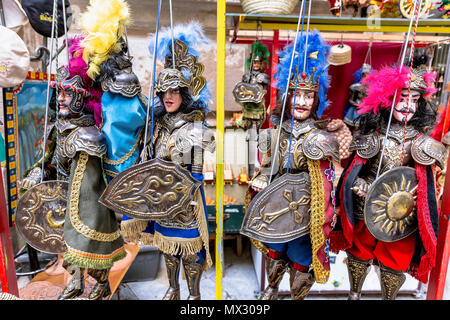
317,219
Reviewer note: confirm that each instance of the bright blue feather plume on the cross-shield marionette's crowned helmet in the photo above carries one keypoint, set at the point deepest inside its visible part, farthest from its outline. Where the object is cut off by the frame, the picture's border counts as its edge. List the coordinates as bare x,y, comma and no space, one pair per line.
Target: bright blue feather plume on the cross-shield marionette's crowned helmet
315,43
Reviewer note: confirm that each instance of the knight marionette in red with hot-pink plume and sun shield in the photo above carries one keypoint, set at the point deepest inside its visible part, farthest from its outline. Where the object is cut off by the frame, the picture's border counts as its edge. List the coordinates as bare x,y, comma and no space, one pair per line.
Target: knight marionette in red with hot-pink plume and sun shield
388,212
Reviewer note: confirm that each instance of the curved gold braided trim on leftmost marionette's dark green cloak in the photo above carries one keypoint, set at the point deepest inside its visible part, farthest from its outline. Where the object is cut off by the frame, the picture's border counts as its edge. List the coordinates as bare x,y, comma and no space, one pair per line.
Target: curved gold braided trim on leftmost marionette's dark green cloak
74,199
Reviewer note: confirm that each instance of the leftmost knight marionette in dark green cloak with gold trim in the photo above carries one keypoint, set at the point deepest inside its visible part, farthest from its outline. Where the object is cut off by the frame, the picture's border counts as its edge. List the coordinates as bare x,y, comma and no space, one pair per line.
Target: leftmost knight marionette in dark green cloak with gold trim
91,233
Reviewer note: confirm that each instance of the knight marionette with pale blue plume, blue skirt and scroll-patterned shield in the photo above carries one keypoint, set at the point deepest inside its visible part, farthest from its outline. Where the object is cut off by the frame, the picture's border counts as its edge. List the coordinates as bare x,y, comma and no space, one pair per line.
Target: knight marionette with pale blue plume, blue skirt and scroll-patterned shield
162,198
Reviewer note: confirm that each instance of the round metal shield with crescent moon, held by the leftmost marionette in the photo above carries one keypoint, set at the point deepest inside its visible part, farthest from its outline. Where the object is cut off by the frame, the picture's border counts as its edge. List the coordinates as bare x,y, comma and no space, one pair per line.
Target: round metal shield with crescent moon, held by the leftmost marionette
40,216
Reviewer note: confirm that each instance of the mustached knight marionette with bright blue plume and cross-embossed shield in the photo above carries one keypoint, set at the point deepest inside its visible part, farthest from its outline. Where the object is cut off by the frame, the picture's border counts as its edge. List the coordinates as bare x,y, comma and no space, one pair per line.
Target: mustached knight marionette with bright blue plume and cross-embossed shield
290,216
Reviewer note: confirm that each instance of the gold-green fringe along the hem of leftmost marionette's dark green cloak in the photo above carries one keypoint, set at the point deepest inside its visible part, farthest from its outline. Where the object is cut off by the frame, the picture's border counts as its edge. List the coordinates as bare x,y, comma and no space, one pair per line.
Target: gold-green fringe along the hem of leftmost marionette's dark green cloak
97,262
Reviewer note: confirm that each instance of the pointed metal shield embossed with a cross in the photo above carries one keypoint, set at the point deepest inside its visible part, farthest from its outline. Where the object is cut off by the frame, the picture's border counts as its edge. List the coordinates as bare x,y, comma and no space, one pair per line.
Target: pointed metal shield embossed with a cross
280,212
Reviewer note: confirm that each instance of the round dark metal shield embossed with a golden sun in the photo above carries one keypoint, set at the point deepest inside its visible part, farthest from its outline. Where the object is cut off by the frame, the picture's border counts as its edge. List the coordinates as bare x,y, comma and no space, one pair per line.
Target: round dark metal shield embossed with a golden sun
389,210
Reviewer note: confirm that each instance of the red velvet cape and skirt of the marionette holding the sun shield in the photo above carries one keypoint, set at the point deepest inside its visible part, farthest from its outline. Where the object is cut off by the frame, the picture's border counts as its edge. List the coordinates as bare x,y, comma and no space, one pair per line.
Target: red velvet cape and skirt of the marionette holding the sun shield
414,254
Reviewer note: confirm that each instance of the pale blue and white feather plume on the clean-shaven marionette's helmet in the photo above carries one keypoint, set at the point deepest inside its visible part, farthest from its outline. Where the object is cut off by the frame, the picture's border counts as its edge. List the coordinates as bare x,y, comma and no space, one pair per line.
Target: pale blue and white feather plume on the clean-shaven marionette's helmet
192,34
